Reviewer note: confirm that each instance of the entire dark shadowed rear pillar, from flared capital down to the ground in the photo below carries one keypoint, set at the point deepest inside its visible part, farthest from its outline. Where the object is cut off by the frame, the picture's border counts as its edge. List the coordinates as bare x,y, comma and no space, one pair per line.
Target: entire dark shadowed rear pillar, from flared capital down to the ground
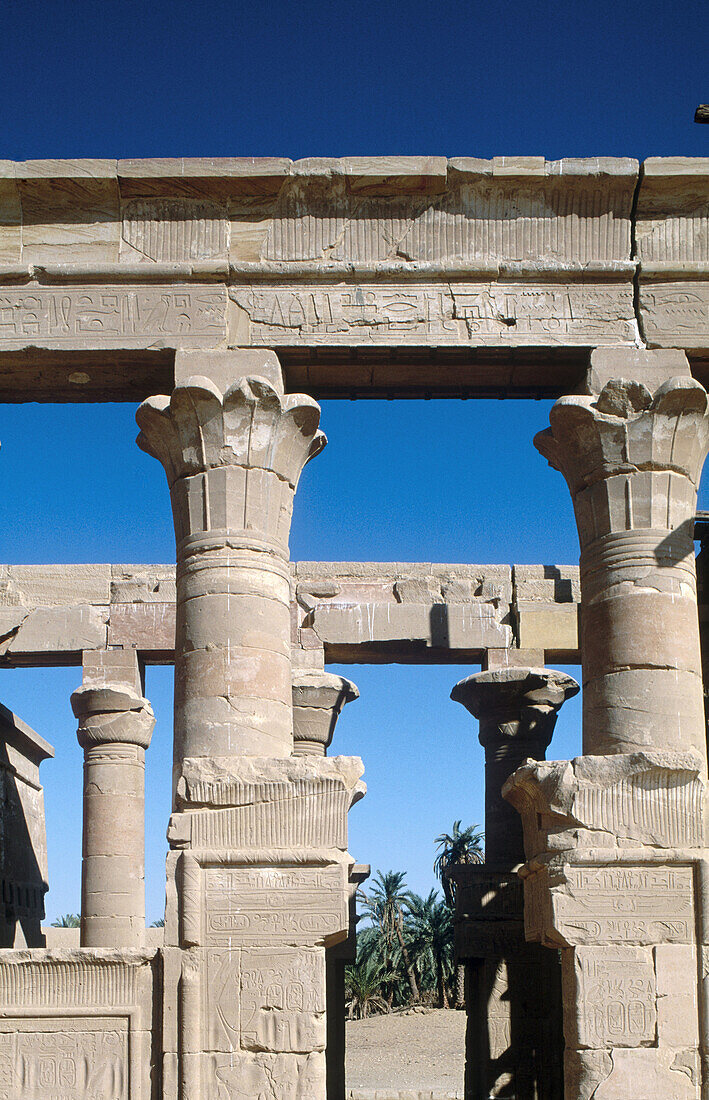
514,1040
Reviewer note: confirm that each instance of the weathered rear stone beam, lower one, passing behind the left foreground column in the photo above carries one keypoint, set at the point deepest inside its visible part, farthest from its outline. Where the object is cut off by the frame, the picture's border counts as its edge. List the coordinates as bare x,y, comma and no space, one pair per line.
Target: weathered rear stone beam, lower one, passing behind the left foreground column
341,612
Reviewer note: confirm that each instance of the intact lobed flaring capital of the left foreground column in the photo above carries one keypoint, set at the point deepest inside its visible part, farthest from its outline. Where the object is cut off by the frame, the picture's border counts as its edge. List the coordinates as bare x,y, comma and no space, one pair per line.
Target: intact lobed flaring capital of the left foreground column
232,460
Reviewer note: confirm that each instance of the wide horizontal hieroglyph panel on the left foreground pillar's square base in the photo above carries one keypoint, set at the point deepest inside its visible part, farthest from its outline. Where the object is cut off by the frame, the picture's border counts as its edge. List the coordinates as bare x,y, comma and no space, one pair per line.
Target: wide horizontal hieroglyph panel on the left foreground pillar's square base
264,906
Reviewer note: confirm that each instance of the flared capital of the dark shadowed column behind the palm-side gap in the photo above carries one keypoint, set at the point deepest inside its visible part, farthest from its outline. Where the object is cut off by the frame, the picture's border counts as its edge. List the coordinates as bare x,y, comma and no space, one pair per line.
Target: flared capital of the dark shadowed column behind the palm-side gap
516,703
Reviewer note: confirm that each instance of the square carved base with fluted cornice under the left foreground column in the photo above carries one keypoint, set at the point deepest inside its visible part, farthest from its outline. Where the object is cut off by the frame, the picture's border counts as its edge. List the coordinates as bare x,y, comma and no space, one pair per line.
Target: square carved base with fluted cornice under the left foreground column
259,895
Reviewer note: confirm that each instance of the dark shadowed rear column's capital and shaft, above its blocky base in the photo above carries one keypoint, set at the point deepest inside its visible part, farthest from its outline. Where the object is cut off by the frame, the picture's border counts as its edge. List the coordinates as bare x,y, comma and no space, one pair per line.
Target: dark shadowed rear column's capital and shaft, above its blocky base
517,710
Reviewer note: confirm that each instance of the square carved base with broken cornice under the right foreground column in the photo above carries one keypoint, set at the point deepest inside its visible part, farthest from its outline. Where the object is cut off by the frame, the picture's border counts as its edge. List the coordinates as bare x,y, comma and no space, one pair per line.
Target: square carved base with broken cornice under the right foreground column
616,881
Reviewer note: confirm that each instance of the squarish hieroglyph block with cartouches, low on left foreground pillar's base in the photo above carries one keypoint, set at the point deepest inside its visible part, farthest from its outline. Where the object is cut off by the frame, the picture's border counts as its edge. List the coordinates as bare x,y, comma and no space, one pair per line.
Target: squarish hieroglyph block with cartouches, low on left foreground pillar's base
283,1000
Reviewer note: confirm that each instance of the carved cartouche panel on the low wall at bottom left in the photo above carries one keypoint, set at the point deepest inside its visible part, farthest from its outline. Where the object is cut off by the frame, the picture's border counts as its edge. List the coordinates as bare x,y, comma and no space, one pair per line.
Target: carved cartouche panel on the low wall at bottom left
64,1059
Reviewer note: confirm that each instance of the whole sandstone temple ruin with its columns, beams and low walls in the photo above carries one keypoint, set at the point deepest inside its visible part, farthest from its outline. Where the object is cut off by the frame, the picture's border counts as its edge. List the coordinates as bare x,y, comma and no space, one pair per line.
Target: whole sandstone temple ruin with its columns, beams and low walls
225,298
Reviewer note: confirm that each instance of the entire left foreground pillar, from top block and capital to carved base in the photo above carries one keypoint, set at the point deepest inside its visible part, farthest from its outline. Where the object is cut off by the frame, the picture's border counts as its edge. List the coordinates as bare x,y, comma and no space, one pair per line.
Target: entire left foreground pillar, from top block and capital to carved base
259,873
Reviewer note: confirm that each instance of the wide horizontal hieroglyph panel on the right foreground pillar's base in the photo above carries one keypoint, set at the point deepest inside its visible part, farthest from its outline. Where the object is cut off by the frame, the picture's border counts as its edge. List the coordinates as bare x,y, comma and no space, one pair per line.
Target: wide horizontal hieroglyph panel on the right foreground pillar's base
625,905
